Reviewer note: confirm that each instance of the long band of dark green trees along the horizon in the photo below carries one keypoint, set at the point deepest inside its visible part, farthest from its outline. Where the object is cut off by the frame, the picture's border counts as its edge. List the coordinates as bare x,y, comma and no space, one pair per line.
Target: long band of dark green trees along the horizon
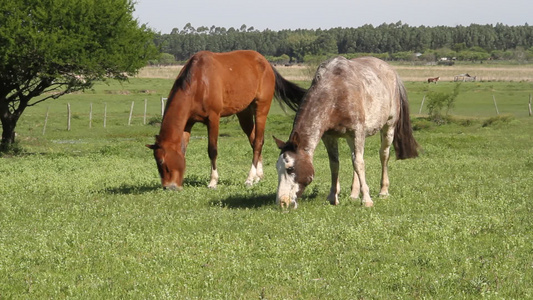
395,41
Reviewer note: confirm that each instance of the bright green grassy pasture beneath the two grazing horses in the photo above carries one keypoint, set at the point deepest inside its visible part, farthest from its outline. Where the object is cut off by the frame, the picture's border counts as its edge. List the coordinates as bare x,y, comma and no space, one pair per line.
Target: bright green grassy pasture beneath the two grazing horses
82,214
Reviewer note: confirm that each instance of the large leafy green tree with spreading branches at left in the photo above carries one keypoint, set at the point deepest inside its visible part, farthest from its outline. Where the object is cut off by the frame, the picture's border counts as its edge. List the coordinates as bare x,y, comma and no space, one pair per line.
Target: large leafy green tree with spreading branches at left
54,47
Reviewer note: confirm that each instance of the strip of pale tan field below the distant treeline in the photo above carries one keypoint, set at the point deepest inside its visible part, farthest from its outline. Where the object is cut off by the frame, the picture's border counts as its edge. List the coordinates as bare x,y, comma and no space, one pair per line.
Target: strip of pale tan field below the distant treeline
483,72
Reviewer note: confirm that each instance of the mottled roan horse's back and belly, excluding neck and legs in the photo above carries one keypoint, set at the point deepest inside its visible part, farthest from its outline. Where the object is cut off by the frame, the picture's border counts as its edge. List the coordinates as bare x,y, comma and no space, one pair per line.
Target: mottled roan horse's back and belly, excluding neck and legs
362,91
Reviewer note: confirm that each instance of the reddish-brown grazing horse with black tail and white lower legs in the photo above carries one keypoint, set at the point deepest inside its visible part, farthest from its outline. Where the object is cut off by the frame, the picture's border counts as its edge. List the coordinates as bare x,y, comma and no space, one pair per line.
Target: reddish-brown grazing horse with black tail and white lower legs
215,85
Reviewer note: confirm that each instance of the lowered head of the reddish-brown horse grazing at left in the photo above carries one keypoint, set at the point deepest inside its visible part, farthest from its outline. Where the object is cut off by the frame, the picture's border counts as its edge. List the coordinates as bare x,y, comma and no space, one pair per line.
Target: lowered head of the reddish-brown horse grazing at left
170,164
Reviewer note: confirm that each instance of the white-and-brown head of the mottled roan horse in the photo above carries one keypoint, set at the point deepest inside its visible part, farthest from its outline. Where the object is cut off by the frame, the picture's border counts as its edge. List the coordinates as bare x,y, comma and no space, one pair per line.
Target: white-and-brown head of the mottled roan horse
295,173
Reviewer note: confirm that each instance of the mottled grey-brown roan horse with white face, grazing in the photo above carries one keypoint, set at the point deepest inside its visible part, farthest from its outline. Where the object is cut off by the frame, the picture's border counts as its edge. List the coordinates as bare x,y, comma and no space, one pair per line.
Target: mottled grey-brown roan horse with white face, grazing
351,99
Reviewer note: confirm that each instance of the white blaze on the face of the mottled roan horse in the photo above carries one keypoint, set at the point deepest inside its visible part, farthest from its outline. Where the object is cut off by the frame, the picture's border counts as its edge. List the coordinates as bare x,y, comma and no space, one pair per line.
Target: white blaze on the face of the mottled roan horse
287,186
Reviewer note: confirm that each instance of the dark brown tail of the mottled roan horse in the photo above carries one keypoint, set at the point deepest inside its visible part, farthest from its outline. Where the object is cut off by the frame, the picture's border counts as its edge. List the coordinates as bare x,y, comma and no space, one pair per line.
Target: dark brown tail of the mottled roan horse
404,142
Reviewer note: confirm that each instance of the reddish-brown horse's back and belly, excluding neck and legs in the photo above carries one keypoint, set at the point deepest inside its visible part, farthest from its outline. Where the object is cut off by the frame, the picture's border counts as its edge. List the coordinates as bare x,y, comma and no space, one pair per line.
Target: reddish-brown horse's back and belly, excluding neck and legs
225,83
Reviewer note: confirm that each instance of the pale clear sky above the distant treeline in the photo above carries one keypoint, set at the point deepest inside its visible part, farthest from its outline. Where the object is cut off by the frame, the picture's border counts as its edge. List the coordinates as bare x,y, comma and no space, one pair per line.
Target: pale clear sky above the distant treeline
164,15
